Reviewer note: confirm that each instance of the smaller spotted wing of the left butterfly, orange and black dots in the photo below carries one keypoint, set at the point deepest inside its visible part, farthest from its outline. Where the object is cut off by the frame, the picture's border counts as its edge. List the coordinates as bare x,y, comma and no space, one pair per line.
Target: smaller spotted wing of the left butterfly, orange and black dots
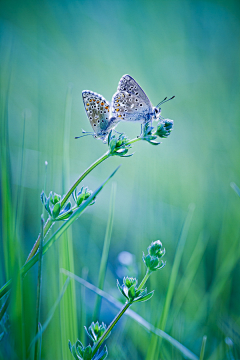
97,110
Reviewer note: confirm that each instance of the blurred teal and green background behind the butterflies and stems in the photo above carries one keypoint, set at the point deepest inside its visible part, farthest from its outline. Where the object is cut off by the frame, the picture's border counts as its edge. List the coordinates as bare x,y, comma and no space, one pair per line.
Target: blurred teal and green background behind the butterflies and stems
49,52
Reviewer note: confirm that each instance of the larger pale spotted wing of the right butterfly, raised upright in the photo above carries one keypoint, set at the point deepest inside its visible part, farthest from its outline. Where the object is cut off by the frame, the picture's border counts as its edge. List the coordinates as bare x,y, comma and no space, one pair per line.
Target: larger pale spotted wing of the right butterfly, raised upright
130,103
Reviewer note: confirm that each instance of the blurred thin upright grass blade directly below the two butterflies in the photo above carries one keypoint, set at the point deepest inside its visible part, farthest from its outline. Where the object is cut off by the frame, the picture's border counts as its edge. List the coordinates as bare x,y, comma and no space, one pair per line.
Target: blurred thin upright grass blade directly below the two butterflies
106,246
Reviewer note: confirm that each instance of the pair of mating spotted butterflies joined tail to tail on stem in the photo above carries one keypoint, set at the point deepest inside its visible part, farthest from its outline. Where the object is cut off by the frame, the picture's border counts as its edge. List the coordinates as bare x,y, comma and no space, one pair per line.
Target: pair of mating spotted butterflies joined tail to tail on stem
129,103
